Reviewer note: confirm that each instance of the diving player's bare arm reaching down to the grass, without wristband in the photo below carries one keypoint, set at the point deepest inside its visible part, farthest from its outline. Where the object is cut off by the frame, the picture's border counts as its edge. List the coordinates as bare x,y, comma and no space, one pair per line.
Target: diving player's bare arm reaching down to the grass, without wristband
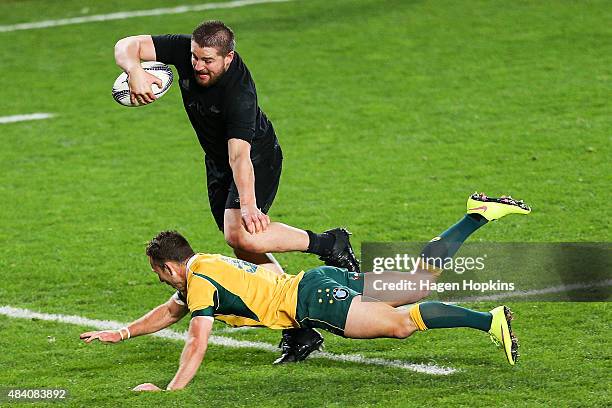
192,356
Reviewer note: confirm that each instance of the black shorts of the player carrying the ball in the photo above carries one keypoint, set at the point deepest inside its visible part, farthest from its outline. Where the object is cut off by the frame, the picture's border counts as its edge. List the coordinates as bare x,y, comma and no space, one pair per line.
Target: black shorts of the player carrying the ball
222,191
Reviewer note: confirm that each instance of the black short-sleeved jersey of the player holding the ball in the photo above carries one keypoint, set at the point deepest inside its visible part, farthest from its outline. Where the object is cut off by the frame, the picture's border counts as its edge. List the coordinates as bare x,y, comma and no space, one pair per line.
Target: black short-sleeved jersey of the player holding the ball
226,110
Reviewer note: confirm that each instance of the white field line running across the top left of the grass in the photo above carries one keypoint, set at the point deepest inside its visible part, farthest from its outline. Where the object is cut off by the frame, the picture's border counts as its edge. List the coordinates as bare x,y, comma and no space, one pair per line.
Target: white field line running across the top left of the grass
121,15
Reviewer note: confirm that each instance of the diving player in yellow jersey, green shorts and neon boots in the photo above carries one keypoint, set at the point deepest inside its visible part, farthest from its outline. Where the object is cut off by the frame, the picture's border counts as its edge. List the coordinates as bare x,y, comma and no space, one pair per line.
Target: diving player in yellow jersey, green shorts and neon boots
244,294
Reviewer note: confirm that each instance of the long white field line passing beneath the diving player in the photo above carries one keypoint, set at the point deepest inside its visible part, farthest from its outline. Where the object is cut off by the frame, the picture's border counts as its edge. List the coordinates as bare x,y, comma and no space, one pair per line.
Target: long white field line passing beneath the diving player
225,341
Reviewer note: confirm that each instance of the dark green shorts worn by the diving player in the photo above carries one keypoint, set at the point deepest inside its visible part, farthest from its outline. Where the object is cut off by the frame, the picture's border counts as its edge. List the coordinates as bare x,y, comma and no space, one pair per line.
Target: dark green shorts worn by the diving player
324,297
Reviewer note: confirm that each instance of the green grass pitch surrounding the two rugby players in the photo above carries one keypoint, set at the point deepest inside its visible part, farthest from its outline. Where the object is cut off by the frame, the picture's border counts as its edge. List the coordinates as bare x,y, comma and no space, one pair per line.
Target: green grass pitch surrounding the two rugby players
389,113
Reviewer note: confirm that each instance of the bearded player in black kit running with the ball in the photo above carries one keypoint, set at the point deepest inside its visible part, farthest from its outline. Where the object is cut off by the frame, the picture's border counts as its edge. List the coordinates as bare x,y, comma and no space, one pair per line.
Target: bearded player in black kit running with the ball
242,155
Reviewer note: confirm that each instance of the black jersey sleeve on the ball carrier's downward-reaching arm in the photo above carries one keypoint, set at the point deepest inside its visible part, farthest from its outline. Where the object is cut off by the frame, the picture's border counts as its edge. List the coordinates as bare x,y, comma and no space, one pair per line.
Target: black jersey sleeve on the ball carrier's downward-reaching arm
241,114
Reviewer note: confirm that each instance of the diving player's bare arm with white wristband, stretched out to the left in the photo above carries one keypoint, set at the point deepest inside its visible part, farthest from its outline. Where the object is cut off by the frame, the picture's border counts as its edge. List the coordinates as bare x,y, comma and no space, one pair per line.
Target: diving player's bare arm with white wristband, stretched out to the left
157,319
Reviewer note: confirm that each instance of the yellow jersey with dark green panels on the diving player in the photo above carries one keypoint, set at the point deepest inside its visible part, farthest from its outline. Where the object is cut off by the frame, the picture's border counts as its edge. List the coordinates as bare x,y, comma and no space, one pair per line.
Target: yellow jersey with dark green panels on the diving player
240,293
